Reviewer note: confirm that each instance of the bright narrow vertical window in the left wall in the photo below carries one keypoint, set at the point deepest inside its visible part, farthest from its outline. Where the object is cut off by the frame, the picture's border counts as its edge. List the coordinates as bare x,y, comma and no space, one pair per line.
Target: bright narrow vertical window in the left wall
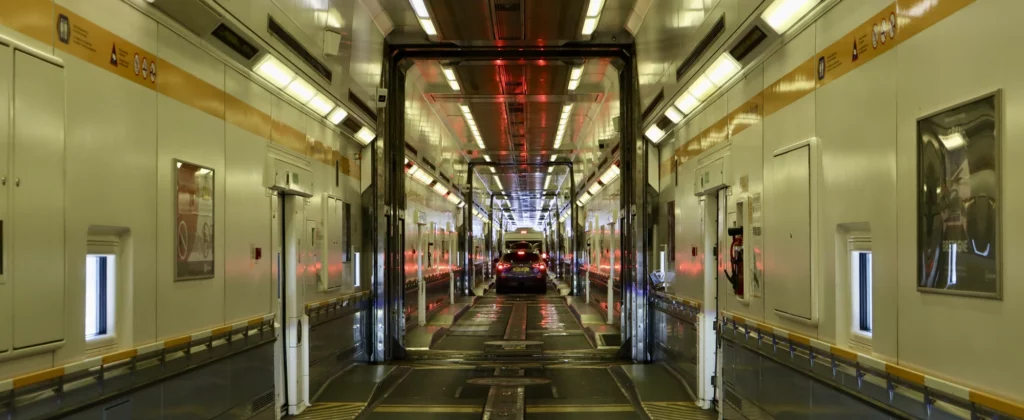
100,285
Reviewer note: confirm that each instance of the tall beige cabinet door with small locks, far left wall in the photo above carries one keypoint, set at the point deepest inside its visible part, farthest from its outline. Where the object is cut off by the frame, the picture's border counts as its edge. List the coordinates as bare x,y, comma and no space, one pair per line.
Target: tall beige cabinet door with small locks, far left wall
38,206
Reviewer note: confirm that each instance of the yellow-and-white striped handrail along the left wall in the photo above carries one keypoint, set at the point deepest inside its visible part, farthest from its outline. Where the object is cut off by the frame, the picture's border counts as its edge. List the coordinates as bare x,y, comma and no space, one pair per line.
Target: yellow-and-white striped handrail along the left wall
126,361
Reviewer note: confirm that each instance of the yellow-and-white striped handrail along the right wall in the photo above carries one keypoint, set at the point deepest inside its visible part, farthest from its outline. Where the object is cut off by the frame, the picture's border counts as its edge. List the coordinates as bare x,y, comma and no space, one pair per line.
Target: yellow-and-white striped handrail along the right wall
975,401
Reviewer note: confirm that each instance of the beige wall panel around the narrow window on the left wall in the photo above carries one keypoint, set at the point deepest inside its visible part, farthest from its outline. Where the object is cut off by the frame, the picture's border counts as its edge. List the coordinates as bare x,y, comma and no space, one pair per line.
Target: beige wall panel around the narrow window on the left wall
112,150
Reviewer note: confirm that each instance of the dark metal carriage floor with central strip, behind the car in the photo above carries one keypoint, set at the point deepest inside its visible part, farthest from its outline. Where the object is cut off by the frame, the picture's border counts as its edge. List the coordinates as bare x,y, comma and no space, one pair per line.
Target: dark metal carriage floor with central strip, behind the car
506,359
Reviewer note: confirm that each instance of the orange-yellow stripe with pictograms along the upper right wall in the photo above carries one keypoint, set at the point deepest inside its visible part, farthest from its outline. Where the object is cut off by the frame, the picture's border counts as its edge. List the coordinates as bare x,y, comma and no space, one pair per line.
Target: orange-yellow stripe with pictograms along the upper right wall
912,17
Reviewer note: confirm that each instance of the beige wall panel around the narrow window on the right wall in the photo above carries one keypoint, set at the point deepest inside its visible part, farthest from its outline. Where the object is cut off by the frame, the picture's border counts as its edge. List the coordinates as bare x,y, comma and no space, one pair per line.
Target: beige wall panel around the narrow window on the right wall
857,128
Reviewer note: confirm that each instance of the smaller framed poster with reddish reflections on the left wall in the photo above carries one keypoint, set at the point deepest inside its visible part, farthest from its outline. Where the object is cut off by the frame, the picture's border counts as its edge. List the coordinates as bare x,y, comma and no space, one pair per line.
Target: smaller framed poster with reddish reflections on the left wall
194,230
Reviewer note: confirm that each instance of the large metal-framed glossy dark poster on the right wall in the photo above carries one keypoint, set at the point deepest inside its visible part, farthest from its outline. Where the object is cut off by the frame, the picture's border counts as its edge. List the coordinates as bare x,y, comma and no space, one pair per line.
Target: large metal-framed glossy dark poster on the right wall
959,196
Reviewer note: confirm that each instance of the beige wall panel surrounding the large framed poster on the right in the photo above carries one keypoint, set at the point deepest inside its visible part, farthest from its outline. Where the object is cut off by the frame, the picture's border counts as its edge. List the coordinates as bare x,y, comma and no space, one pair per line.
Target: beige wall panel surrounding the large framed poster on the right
965,340
